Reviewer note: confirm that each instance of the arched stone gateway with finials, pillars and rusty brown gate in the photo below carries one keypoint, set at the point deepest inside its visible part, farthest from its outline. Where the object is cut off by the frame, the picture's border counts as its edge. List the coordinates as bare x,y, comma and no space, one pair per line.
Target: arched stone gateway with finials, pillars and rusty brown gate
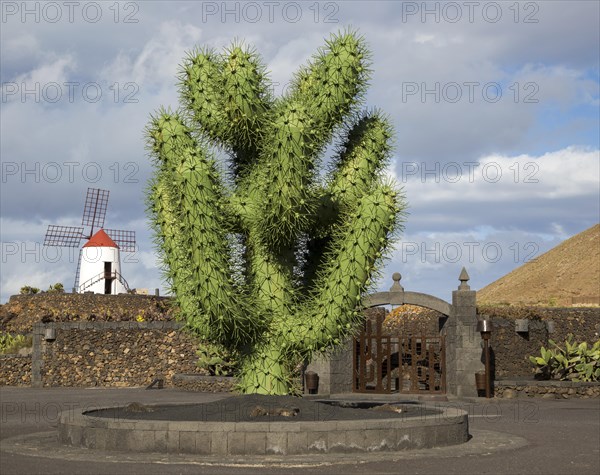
375,362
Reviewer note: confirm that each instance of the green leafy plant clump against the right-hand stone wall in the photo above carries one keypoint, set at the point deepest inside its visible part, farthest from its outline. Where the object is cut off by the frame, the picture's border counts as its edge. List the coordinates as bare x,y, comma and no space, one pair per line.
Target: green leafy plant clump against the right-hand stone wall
572,361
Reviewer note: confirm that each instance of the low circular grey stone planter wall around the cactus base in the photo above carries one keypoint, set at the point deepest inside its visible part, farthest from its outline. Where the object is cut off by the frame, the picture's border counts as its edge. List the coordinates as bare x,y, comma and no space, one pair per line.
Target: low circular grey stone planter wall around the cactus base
113,429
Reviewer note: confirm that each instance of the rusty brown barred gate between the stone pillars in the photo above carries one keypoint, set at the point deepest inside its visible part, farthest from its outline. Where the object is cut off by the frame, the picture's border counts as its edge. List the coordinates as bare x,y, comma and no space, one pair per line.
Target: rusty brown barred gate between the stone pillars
388,363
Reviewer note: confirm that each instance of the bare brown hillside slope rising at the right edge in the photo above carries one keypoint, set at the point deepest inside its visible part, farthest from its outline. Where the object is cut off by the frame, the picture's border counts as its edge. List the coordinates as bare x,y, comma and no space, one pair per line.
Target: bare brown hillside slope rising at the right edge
566,274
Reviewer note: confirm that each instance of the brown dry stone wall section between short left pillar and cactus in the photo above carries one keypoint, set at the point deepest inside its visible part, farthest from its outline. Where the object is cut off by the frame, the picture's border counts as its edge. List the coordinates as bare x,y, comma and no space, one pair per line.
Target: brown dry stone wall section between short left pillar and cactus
116,354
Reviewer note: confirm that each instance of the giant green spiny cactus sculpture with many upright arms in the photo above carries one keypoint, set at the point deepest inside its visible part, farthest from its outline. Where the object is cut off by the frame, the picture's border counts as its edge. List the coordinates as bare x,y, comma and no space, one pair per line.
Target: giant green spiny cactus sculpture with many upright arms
269,258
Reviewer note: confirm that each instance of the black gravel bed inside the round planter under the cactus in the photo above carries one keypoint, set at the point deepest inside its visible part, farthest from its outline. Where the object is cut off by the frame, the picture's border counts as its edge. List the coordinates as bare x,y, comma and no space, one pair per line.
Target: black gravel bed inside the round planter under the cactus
260,408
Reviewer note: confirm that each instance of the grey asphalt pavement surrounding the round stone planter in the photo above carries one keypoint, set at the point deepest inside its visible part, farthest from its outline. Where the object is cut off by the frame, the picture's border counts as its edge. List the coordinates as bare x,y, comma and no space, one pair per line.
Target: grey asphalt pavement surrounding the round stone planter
518,436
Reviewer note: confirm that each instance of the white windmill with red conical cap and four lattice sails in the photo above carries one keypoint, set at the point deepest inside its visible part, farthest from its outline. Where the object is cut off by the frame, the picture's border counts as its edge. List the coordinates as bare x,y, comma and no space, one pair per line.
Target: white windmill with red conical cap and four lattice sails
99,263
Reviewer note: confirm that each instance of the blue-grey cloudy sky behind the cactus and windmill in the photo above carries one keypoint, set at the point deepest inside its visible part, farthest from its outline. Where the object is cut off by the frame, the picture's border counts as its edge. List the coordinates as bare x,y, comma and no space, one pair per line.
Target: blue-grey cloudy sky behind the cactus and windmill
495,107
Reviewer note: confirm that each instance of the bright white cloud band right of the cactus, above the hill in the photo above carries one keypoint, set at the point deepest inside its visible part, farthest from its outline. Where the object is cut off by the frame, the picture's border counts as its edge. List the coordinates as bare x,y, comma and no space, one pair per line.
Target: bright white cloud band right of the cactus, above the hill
501,179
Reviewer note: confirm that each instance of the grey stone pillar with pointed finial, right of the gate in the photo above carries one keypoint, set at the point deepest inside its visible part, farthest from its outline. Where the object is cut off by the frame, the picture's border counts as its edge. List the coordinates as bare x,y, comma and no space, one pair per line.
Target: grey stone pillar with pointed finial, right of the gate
463,343
